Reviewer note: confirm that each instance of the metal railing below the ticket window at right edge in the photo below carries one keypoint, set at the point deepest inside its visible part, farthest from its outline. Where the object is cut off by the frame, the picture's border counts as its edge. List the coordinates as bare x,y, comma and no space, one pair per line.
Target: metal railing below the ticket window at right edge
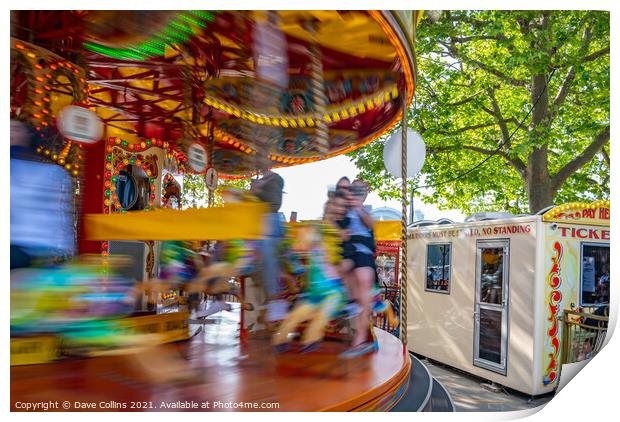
583,335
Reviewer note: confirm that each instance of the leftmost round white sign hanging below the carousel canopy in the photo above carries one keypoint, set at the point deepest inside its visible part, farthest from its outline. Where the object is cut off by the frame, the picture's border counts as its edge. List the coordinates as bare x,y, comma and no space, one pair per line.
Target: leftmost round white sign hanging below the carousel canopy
79,124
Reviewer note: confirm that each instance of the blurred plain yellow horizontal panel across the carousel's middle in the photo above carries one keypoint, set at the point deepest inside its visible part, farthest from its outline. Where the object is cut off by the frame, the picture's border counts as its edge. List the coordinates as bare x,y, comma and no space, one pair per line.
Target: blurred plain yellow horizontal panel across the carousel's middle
234,221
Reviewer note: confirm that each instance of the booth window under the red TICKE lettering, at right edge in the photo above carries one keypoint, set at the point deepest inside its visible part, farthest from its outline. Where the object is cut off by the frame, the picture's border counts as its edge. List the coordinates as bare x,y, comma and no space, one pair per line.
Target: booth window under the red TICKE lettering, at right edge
594,274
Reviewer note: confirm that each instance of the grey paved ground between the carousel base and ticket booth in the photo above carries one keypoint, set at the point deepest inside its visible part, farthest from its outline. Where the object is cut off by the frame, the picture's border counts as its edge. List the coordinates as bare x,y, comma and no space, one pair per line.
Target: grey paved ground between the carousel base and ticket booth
469,396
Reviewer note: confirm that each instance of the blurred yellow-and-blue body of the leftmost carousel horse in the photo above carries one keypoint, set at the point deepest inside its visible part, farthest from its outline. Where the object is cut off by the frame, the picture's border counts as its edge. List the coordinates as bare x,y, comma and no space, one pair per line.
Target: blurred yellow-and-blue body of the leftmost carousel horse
77,301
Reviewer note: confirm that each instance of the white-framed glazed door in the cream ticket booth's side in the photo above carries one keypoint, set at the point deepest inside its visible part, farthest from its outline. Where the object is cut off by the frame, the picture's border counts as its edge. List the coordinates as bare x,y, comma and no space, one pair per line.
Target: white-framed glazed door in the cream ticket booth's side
491,305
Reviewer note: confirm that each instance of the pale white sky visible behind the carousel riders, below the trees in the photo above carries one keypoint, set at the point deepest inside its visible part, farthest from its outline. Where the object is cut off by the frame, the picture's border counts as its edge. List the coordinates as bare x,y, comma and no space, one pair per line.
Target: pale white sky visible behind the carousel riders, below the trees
306,187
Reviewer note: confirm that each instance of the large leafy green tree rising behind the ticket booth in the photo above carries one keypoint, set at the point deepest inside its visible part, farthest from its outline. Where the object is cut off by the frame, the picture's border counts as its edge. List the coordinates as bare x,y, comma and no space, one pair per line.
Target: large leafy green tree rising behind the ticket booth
480,73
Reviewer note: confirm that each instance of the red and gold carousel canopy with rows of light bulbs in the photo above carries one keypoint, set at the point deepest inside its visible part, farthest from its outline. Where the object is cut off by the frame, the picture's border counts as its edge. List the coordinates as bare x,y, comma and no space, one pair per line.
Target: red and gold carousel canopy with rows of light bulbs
255,88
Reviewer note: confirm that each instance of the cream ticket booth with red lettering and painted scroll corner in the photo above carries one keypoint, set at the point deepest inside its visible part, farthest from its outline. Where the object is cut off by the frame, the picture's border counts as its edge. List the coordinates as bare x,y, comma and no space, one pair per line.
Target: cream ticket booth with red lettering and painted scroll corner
486,296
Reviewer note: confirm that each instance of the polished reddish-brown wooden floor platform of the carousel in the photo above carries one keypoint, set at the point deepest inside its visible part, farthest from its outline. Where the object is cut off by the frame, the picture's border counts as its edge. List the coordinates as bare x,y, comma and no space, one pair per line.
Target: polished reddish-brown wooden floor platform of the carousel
218,372
